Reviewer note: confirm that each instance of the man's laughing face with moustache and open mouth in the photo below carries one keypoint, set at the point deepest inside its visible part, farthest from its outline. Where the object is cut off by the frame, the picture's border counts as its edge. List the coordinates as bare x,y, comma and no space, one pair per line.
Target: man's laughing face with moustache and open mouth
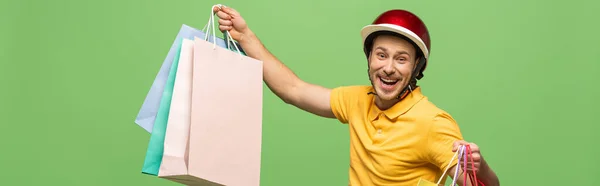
391,63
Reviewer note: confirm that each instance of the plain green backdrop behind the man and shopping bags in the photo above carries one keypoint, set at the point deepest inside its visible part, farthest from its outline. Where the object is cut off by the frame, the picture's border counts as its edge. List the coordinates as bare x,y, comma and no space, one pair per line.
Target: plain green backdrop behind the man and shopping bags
519,76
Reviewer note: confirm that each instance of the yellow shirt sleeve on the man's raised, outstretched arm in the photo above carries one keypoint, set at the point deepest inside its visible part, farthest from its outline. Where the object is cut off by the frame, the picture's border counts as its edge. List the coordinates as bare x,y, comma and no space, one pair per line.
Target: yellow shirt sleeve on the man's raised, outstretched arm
340,101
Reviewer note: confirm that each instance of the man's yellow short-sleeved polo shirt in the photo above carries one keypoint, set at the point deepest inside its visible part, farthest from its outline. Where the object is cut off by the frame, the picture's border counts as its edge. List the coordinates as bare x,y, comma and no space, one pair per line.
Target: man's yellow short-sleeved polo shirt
398,146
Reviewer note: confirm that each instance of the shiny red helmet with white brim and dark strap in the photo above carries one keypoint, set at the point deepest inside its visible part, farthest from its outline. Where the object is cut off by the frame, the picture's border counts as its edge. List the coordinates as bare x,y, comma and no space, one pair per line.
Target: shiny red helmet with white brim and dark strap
404,23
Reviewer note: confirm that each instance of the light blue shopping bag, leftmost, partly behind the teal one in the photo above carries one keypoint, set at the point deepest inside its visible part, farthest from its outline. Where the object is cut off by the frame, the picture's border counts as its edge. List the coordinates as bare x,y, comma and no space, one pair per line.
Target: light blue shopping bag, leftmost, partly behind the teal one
147,114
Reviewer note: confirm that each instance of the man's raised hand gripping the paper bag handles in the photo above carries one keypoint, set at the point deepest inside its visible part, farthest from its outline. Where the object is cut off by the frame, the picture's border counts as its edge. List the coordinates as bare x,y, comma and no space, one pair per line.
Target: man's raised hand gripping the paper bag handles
230,20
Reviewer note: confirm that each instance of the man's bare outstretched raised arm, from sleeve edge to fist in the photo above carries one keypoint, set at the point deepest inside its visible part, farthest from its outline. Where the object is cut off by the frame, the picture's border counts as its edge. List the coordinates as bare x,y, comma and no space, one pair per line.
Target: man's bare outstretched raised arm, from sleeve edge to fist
281,80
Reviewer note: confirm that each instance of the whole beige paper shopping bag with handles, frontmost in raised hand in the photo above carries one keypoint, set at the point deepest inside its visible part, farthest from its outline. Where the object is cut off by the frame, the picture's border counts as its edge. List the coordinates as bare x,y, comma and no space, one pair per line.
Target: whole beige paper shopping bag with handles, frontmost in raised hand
222,107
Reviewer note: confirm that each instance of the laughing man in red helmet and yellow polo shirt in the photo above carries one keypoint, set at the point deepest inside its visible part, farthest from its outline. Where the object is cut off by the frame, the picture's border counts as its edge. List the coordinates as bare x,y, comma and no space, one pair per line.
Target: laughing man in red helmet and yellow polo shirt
397,136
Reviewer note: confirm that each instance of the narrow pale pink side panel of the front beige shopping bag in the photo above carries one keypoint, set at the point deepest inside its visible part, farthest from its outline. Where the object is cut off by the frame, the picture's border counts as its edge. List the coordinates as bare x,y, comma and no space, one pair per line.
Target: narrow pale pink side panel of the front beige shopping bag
174,159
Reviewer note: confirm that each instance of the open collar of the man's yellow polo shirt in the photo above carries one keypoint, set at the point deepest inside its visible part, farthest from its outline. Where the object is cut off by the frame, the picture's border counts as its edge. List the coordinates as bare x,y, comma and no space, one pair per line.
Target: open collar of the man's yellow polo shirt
399,108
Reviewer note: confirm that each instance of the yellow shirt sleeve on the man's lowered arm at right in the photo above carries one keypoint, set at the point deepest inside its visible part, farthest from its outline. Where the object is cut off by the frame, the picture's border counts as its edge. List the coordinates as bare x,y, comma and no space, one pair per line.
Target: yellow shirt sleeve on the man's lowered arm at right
443,133
